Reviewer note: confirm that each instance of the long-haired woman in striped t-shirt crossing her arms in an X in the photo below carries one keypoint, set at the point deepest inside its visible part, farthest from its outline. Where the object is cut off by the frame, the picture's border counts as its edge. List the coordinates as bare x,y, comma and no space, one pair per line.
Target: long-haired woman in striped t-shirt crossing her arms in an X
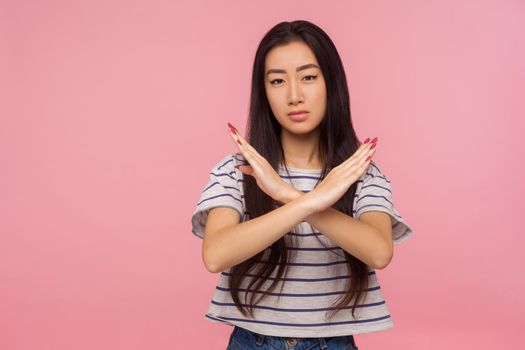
298,220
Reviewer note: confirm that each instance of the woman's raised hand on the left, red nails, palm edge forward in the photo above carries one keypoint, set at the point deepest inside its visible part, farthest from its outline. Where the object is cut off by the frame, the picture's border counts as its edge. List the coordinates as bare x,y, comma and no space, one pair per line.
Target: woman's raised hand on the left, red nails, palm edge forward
267,179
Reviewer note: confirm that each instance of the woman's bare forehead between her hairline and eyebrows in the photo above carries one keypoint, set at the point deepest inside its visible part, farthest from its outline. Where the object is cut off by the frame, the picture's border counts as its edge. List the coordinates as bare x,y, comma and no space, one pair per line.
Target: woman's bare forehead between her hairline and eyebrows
289,56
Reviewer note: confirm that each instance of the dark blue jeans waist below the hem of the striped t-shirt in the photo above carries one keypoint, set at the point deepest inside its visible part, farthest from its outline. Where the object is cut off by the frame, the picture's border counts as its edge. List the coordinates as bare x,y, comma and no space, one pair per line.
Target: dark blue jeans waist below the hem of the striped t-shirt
242,339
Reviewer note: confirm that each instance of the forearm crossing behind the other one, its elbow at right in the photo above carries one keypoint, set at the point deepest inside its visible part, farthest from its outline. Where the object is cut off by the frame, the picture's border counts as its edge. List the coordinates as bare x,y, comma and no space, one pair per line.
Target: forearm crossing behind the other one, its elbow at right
358,238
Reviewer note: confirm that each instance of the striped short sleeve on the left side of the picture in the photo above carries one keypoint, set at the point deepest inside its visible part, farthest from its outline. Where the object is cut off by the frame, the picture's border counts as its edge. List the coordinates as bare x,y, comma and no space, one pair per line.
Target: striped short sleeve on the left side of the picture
224,189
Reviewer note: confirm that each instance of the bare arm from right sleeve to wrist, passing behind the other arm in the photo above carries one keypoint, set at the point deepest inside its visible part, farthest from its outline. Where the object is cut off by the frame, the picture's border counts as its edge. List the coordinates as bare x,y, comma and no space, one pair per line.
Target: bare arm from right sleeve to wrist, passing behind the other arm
371,236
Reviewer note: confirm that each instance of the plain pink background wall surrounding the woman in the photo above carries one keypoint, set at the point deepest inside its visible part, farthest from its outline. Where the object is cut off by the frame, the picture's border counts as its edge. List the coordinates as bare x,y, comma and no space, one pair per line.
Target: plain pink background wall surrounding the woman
113,112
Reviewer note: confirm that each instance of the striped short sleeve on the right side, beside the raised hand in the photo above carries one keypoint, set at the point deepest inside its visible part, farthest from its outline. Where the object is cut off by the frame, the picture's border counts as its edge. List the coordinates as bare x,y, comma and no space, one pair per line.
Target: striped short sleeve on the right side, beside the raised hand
375,194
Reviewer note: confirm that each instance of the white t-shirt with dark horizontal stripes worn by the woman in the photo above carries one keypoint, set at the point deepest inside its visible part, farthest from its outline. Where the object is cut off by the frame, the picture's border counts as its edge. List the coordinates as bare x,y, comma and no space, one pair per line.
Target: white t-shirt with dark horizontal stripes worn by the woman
316,275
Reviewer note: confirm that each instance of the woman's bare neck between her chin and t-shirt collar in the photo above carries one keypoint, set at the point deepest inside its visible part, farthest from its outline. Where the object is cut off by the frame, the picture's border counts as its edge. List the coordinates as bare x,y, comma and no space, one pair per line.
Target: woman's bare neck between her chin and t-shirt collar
301,151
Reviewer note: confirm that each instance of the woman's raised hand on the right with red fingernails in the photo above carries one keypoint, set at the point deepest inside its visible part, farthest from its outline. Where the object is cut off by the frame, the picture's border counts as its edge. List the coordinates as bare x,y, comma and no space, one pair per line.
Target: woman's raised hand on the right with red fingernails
340,178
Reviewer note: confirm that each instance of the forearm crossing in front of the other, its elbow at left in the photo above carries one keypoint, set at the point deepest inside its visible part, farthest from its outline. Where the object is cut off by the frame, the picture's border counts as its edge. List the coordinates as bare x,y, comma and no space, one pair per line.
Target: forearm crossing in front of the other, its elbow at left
233,245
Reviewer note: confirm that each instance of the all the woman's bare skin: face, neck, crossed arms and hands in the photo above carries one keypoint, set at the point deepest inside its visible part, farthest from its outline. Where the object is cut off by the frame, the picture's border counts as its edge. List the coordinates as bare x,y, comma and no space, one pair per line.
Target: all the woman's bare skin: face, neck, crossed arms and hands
228,242
